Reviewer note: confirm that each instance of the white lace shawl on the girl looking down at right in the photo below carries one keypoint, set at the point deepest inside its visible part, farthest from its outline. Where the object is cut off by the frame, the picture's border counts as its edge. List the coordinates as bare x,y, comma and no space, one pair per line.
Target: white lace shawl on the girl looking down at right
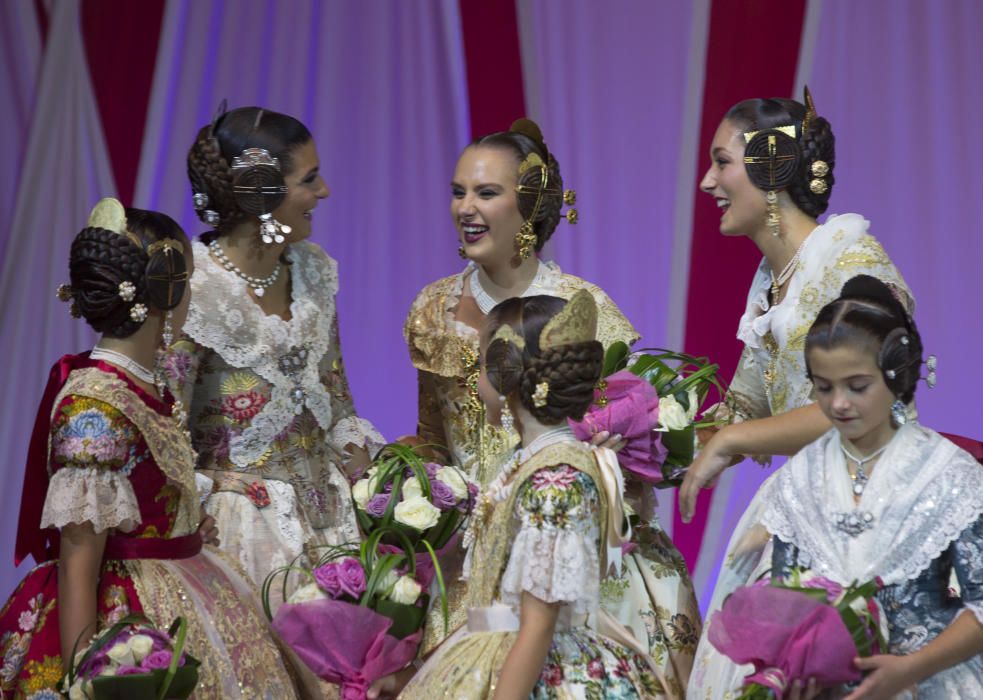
923,493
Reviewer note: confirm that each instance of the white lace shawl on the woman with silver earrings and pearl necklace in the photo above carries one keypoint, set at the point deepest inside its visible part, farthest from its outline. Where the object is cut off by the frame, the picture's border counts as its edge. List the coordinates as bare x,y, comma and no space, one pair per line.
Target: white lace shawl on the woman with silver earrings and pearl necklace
225,318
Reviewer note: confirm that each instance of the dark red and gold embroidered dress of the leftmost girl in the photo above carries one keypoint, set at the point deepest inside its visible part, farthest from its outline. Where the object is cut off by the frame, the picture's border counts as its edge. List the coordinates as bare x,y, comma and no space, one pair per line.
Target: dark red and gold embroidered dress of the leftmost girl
118,460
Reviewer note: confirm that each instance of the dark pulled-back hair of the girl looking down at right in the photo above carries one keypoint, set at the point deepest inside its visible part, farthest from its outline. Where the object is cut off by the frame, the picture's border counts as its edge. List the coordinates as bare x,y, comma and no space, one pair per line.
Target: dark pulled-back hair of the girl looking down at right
869,315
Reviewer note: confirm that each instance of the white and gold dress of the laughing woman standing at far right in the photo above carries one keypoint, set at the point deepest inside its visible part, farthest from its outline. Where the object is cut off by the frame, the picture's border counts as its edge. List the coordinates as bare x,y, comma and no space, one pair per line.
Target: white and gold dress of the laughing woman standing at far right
771,379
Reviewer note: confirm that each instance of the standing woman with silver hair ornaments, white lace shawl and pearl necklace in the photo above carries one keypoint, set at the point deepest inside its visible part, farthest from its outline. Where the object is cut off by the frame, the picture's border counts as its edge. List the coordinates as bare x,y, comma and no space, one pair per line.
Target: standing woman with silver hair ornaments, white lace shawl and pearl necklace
272,417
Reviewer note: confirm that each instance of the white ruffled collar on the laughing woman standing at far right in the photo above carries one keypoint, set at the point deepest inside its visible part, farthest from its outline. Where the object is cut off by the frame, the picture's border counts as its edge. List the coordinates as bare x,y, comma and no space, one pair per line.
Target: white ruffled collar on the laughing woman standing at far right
760,316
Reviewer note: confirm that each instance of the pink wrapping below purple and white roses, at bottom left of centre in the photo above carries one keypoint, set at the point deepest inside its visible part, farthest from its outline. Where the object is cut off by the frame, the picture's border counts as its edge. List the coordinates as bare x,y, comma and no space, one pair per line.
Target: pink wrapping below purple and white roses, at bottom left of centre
344,643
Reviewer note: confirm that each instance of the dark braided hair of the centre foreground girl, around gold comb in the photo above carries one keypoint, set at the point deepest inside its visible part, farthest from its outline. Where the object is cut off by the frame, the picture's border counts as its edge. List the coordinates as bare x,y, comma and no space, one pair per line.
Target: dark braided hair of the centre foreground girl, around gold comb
570,370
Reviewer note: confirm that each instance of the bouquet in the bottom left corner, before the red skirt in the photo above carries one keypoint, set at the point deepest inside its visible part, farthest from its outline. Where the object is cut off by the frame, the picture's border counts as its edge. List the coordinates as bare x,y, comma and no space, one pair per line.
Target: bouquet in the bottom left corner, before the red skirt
133,659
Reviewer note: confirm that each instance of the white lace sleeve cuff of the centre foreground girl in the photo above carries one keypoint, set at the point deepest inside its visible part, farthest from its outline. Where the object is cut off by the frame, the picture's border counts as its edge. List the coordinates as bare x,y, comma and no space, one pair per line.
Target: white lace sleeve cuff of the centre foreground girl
556,566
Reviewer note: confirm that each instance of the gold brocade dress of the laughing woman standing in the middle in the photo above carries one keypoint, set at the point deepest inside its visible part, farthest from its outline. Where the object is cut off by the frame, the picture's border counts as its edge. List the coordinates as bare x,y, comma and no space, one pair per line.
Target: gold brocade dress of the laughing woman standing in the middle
653,596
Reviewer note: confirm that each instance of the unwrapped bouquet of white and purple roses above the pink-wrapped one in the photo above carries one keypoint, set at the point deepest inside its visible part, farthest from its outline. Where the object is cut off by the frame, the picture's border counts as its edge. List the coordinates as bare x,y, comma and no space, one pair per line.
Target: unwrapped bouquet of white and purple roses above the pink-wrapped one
426,503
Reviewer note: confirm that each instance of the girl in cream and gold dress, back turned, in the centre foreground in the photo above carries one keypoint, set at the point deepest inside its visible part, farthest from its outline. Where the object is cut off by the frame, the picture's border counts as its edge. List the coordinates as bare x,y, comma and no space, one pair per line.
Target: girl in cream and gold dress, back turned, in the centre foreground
546,526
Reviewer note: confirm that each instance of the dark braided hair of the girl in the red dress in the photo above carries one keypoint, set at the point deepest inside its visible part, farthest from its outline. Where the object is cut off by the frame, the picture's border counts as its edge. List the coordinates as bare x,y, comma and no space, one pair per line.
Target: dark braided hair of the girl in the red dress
102,260
